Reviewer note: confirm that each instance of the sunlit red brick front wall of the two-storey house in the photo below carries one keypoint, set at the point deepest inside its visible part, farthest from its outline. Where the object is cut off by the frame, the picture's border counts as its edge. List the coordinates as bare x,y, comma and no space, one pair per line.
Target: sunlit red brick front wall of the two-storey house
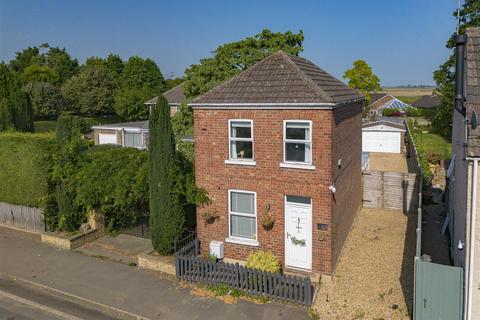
267,179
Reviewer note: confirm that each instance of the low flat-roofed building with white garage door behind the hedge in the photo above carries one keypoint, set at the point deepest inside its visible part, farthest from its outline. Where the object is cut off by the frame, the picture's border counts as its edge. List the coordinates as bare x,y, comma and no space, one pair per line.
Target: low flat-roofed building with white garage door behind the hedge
128,134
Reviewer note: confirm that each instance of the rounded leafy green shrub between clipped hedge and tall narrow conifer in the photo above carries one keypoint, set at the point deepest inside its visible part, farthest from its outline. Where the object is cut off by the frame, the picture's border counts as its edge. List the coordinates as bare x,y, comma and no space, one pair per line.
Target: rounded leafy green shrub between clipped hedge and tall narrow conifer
113,180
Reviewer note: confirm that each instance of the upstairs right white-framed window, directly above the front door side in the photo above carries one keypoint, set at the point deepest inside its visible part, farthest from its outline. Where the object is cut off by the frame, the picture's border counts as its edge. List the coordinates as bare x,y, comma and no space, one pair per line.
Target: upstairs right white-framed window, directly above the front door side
297,142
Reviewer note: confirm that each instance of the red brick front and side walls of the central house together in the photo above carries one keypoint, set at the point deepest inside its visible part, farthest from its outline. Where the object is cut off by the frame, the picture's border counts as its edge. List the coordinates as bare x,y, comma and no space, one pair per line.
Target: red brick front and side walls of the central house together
336,134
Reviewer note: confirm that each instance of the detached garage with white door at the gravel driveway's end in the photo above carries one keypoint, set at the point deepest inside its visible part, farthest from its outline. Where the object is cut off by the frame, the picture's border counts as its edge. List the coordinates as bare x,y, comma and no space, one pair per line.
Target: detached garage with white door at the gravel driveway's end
383,136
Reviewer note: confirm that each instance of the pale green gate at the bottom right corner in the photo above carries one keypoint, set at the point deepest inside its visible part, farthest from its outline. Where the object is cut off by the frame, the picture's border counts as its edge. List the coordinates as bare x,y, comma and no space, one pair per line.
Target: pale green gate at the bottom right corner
438,291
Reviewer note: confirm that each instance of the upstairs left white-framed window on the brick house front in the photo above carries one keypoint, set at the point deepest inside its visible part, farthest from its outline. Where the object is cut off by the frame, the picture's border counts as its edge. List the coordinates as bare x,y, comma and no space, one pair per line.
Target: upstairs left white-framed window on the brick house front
240,139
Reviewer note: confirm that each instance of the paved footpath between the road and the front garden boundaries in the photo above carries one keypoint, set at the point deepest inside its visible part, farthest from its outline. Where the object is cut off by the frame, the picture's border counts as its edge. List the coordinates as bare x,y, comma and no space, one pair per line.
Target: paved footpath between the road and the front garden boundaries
120,286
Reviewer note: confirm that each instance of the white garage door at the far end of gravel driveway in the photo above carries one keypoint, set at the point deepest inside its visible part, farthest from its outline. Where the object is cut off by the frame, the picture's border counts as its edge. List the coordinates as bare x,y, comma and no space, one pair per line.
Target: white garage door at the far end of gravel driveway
380,141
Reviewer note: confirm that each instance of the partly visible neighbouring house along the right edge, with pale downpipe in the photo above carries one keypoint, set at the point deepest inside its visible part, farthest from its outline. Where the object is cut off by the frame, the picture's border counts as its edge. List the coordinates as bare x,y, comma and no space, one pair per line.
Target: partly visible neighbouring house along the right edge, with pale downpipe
463,180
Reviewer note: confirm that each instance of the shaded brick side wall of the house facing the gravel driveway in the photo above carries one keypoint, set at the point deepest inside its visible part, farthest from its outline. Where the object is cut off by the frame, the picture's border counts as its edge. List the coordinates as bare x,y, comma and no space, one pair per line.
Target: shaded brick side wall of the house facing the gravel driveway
347,146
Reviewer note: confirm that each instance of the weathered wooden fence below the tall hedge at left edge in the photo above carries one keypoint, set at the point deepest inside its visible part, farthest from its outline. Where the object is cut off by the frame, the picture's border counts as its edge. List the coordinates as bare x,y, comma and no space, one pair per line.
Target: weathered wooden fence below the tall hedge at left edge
22,216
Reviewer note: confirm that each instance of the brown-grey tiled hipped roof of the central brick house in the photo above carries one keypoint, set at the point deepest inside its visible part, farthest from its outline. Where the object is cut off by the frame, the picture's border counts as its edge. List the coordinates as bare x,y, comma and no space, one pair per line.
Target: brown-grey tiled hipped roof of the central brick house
280,78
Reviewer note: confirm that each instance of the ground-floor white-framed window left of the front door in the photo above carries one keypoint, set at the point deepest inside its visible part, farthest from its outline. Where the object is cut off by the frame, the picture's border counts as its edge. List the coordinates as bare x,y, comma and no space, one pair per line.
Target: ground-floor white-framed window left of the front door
242,215
